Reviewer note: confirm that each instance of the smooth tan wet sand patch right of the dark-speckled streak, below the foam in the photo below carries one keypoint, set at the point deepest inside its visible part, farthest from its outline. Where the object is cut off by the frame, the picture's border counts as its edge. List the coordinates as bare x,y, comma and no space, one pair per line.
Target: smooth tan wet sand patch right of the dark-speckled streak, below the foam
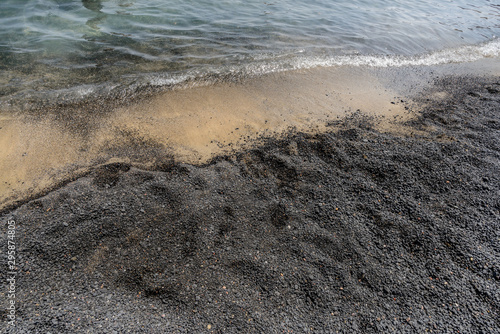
197,122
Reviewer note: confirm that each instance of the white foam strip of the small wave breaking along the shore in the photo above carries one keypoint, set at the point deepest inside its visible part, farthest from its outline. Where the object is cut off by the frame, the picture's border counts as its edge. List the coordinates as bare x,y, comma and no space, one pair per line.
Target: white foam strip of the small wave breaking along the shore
269,63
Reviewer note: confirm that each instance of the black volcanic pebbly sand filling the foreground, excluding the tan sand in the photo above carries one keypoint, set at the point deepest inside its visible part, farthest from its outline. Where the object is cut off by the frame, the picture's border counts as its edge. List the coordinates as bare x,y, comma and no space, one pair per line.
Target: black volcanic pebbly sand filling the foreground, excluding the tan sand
353,231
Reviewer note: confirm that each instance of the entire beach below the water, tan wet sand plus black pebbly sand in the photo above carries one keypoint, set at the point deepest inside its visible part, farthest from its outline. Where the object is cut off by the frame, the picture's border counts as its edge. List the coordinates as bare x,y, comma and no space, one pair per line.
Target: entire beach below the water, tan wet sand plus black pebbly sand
373,214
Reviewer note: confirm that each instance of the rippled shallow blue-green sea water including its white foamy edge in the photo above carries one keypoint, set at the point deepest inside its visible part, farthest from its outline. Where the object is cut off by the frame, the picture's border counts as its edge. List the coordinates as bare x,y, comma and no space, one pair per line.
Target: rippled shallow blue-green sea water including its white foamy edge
95,46
